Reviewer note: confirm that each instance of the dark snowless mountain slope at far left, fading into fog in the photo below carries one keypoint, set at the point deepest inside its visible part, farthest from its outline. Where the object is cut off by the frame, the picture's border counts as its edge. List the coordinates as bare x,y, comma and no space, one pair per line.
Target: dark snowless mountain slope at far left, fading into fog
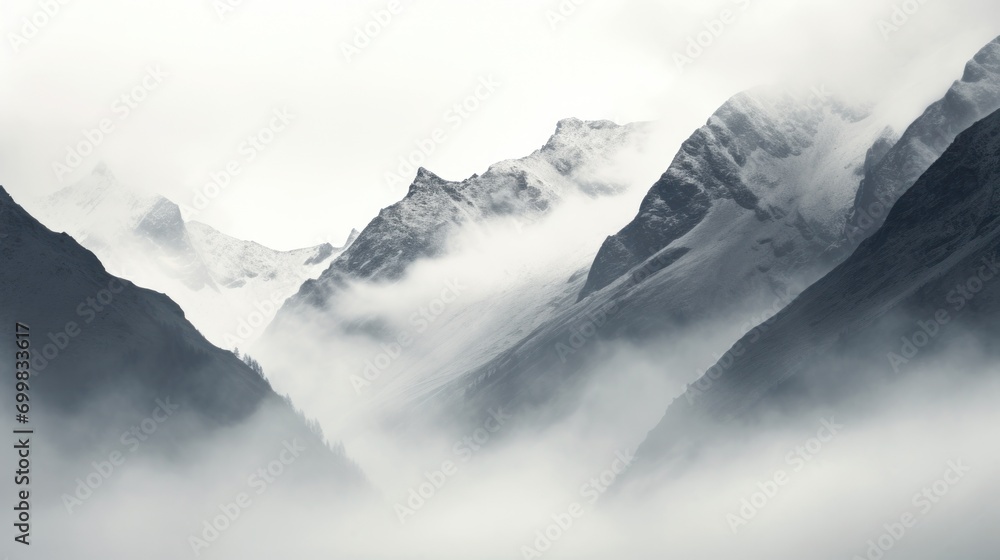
104,353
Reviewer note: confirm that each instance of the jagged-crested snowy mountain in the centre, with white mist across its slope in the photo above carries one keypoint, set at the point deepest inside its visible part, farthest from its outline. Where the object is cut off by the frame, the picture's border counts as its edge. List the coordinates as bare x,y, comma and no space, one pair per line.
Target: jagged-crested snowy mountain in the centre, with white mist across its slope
512,242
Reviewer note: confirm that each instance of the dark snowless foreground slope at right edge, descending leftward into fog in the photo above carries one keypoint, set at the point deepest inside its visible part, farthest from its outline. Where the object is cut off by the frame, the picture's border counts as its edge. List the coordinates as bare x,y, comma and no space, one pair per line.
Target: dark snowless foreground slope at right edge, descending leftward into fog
927,279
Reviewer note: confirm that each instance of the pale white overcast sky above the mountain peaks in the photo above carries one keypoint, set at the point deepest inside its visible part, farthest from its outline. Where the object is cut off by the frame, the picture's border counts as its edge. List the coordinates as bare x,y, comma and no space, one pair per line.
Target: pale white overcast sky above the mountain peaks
324,174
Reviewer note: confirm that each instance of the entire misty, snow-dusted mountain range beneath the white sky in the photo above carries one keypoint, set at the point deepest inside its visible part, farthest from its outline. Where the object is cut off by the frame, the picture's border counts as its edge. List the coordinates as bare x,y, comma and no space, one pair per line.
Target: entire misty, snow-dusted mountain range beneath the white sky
829,259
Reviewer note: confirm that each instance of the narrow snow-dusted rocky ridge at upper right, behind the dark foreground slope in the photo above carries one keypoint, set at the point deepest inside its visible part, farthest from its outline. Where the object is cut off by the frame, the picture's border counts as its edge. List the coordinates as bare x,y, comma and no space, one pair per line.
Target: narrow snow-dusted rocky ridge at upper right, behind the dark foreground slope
970,99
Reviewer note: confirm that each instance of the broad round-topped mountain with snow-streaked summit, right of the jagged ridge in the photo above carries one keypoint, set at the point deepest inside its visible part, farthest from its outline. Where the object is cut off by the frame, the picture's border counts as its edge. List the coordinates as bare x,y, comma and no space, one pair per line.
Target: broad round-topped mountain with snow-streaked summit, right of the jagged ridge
732,229
